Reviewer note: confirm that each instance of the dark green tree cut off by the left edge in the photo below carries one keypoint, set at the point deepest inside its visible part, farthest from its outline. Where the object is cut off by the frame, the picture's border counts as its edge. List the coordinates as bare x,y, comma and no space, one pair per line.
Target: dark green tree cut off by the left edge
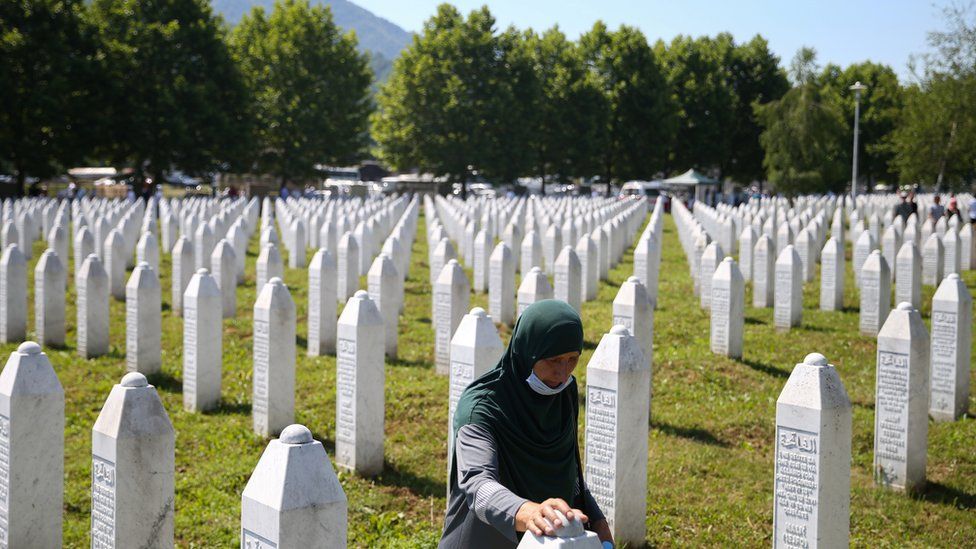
46,74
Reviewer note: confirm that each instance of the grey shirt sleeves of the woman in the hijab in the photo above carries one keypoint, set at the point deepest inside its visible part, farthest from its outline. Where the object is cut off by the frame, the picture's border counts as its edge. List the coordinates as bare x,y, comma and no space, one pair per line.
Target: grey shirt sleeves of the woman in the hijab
481,512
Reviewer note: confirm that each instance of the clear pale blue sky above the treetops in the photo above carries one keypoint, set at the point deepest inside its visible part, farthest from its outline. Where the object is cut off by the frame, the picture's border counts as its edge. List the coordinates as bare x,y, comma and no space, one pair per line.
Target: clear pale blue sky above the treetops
842,32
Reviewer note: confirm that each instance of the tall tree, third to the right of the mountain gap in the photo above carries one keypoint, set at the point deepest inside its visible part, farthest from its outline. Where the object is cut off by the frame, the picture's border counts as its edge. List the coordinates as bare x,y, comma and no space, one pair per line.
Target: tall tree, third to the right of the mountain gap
641,123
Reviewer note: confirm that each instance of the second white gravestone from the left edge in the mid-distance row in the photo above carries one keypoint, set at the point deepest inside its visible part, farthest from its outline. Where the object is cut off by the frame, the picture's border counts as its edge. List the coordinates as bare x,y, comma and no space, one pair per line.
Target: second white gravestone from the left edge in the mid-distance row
49,285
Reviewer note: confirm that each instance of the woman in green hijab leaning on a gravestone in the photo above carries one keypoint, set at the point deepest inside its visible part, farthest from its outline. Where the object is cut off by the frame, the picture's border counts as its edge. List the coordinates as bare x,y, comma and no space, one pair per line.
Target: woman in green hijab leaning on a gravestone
516,456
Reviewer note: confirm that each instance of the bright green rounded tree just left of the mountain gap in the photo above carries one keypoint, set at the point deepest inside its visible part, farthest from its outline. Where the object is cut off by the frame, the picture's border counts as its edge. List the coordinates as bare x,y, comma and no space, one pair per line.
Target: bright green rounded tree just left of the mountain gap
309,86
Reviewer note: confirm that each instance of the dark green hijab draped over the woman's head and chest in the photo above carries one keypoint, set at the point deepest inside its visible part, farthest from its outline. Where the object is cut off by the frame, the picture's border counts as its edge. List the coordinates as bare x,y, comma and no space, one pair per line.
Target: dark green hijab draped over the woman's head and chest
536,436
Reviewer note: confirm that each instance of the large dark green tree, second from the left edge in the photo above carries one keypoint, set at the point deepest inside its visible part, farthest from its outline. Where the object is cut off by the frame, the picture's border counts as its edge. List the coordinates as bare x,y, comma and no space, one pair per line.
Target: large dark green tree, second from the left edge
173,96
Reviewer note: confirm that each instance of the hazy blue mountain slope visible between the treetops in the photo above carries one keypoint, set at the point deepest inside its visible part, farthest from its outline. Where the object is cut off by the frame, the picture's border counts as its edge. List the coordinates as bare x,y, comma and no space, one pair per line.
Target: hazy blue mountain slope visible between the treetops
382,39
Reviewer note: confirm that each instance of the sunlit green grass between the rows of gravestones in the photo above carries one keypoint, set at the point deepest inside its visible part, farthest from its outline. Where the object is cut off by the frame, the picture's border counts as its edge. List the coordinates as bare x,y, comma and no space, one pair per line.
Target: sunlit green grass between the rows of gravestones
710,463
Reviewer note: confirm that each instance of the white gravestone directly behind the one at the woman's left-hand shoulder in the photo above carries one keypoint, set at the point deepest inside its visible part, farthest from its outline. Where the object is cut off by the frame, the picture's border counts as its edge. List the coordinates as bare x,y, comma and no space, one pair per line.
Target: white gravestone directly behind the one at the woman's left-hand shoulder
451,300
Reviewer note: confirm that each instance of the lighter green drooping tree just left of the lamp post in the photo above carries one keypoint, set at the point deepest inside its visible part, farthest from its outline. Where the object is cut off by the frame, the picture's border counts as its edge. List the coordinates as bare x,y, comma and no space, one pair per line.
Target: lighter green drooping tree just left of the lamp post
804,134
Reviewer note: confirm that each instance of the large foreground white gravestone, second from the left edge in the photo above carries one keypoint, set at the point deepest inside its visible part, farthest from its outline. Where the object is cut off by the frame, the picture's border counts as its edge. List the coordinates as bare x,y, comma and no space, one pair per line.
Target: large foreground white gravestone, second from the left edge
133,469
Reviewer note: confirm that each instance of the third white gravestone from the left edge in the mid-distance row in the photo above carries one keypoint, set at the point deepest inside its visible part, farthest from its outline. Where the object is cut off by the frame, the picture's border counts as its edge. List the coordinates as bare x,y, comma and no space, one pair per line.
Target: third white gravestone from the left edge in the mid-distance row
92,308
